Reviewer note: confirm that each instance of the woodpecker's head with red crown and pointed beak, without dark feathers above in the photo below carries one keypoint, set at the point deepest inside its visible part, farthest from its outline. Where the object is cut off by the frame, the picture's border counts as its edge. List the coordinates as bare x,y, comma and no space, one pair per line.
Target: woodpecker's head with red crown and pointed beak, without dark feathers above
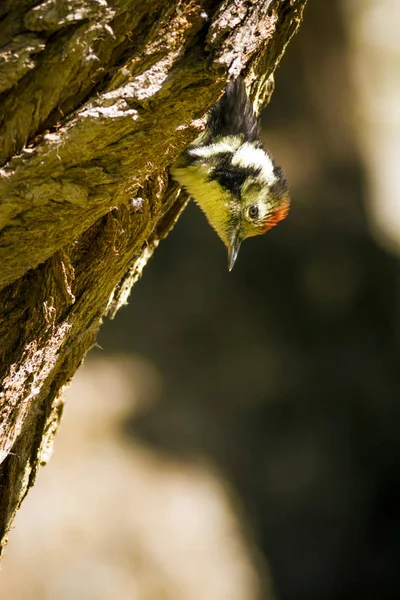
239,187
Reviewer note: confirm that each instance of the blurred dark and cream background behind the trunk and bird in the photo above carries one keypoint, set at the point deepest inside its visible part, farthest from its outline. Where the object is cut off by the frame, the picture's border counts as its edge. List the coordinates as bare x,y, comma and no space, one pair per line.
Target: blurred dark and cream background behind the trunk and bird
236,437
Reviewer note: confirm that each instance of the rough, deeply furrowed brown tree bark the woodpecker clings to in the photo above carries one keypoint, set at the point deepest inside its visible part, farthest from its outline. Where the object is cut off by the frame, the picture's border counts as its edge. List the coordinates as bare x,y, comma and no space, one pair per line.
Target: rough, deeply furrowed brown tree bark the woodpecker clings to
97,98
